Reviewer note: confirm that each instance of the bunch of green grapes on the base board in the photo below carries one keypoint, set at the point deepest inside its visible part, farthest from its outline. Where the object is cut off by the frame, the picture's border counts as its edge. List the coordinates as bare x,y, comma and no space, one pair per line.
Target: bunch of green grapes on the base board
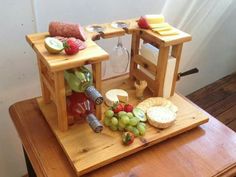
124,121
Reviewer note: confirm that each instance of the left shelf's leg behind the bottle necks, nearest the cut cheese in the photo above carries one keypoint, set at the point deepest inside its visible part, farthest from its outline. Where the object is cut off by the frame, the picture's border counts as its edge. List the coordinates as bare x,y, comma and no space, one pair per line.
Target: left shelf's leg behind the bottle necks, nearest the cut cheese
97,83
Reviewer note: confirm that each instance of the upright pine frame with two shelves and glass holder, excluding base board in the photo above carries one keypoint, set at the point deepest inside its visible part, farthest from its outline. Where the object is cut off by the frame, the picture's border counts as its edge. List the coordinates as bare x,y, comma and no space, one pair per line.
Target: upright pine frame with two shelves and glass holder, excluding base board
51,67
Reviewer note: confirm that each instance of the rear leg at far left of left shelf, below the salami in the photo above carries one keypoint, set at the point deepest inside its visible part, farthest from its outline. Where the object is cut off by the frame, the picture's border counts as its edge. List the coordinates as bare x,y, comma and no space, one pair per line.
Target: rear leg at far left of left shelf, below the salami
45,91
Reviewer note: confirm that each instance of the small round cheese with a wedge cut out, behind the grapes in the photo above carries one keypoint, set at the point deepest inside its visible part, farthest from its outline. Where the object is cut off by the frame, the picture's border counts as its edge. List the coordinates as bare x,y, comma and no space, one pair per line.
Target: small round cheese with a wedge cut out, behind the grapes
115,95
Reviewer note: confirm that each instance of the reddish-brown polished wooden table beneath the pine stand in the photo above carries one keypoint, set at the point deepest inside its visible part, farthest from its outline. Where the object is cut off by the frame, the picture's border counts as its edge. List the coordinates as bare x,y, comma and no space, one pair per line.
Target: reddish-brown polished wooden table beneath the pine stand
209,150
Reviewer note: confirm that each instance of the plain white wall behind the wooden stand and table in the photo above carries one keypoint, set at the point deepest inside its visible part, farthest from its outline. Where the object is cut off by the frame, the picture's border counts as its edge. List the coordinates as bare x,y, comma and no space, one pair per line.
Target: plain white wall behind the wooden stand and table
215,56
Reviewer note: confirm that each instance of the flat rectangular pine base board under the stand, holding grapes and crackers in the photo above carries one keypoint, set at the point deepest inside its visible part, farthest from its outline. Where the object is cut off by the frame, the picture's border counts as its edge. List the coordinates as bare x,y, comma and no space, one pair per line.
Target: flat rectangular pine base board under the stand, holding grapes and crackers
88,151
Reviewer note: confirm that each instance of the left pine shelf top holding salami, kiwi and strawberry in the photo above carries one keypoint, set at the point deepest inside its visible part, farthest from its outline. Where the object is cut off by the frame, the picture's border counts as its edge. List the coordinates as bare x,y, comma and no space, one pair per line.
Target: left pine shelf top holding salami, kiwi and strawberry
59,62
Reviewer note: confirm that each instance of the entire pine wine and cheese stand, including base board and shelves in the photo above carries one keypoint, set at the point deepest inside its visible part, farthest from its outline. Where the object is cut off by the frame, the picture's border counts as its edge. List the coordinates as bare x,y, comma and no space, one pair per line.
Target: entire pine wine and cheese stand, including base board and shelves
85,149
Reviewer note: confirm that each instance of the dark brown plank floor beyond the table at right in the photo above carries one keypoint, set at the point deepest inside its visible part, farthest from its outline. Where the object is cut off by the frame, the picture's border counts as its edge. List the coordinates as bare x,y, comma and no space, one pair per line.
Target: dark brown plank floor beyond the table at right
219,99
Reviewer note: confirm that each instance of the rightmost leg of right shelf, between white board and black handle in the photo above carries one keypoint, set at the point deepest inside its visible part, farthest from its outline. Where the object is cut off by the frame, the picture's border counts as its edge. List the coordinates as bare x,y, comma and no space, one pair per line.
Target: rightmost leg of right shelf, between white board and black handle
176,52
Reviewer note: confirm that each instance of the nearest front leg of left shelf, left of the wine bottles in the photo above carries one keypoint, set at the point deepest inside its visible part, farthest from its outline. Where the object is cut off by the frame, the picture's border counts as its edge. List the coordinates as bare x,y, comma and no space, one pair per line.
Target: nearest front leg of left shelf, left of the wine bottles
60,99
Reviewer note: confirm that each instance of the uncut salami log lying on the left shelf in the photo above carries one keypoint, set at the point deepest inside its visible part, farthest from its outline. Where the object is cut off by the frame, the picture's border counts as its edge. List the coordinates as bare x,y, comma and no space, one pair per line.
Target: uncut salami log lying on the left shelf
67,30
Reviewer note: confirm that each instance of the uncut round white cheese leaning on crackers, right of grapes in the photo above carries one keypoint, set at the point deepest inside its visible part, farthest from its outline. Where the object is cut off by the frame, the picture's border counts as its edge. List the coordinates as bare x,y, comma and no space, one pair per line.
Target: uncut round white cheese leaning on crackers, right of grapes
161,116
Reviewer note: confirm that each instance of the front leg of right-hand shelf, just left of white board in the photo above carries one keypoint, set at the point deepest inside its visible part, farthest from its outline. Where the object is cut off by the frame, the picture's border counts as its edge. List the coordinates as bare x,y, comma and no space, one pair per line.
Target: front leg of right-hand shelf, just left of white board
161,70
